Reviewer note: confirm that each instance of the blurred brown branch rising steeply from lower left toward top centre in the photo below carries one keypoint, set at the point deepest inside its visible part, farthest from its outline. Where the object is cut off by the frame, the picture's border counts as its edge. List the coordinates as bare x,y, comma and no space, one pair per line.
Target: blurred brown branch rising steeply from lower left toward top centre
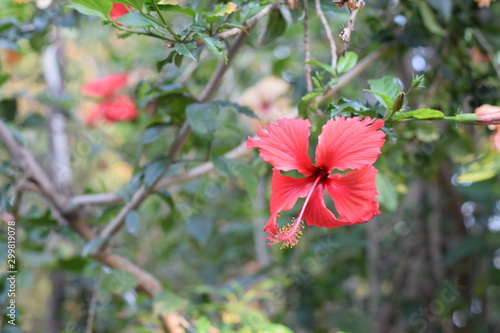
142,193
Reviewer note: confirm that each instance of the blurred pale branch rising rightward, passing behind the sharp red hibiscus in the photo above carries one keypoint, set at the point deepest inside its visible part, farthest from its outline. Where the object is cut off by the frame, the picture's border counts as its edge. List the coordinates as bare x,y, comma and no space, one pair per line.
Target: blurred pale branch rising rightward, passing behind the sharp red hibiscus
113,198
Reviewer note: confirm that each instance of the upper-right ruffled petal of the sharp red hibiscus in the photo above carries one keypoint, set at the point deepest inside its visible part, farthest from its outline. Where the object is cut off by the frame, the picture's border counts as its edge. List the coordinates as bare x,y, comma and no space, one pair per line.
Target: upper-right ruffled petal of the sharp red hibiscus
347,143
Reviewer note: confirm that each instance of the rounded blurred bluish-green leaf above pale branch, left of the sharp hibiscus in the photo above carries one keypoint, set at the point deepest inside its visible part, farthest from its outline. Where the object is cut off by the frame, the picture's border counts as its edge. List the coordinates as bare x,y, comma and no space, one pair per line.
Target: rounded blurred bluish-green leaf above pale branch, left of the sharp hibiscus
203,118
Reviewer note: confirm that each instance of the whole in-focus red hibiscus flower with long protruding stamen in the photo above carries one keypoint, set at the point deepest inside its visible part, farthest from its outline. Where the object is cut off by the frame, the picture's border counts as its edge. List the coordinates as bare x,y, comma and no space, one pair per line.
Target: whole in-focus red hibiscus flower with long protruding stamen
345,144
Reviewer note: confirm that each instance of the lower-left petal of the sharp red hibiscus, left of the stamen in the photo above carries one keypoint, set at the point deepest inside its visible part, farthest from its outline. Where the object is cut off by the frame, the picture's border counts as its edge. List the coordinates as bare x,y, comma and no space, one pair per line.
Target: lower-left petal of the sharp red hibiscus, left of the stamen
285,192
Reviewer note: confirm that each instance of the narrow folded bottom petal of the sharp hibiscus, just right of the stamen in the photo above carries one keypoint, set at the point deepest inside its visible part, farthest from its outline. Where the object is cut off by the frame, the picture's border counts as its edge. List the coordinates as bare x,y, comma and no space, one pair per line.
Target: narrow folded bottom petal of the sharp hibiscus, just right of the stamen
317,214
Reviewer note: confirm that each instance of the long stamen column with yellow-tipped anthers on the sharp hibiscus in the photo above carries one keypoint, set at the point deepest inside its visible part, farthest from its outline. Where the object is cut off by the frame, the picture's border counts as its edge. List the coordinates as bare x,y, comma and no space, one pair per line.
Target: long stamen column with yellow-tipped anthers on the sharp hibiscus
292,232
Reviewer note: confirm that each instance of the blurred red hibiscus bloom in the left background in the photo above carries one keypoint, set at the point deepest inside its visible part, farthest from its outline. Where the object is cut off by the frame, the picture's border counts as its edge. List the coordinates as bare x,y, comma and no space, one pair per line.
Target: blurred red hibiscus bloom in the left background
112,106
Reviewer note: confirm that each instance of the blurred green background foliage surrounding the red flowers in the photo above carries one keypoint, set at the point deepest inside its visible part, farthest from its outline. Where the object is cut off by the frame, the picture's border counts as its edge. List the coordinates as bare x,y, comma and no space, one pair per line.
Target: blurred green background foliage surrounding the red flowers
429,263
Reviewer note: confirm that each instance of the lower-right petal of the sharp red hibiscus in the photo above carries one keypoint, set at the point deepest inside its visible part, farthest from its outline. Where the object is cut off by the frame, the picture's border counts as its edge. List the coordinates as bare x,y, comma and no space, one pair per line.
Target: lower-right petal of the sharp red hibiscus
354,194
